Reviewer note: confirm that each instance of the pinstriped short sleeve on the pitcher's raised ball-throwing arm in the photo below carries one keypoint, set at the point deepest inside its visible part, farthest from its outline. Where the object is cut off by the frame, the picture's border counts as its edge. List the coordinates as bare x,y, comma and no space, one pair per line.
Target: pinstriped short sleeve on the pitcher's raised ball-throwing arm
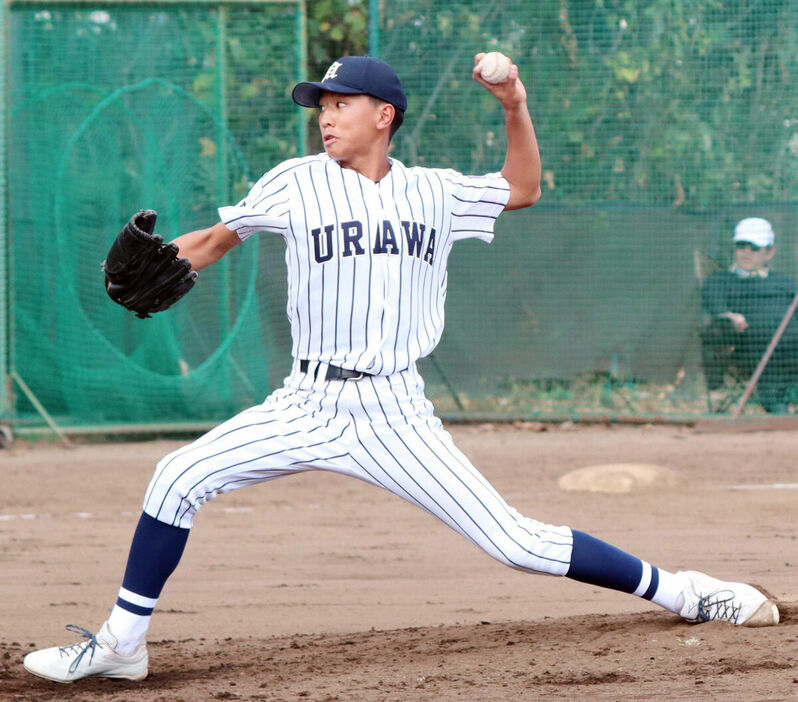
477,201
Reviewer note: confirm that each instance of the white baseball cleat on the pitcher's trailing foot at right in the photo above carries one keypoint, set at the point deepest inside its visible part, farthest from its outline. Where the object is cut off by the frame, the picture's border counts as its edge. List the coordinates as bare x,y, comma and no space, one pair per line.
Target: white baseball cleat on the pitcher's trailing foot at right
708,599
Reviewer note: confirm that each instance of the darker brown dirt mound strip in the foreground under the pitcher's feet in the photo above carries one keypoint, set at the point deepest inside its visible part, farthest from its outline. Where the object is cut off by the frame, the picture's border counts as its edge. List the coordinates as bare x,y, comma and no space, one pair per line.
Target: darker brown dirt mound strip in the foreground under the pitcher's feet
596,657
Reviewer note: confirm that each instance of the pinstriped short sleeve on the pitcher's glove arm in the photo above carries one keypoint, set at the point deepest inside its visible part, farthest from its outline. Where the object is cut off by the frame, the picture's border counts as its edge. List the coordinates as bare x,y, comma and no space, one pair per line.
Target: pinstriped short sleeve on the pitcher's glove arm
266,206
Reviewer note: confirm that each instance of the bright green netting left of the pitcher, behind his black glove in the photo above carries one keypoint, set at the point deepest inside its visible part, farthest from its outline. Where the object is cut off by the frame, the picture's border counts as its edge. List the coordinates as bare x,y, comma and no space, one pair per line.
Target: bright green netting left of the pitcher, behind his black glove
115,108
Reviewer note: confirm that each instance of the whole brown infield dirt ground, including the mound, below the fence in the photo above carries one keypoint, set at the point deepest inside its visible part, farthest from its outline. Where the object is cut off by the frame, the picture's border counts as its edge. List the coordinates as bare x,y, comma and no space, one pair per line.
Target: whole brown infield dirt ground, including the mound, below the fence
321,588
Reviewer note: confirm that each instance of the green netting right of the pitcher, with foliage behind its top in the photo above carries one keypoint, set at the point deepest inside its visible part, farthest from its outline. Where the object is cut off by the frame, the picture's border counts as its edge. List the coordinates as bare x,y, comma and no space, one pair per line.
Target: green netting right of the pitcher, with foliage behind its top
660,125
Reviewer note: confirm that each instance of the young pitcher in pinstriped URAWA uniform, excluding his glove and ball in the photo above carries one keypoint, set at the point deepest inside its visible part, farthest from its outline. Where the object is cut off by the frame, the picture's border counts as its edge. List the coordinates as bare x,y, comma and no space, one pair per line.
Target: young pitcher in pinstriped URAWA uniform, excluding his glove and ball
367,243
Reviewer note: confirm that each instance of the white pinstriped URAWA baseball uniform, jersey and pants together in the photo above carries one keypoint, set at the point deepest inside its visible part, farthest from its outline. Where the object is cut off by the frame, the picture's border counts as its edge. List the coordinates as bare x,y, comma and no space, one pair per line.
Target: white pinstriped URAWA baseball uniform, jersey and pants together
366,269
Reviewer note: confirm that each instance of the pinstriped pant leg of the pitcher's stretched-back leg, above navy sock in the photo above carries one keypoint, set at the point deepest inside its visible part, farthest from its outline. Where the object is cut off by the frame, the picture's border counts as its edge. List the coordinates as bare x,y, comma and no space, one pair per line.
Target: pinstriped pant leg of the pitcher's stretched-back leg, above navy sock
405,449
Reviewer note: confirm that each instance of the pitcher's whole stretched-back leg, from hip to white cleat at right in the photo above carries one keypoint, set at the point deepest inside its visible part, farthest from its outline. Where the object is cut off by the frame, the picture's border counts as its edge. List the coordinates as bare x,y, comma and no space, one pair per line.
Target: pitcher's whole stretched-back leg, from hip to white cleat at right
417,459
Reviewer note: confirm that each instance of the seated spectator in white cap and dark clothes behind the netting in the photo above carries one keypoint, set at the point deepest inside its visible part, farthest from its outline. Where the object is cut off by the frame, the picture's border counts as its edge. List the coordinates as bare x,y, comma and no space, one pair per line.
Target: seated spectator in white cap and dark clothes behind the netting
741,310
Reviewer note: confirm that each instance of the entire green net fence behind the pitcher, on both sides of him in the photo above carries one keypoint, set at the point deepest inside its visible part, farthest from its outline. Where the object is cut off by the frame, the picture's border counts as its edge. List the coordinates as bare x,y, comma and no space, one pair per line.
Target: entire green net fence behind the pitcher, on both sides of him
660,125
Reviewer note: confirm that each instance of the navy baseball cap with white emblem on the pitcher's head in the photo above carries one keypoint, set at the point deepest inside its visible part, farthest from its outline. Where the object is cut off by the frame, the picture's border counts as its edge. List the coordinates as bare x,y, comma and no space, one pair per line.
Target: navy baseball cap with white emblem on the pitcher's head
354,75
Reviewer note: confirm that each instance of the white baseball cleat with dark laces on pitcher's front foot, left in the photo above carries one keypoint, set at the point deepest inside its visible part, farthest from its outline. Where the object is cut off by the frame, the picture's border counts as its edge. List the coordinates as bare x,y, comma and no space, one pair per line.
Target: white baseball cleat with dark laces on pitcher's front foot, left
94,656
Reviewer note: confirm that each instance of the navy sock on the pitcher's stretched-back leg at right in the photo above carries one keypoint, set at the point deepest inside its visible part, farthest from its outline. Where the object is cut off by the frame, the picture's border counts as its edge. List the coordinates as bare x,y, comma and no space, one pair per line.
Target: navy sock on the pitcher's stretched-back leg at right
598,563
